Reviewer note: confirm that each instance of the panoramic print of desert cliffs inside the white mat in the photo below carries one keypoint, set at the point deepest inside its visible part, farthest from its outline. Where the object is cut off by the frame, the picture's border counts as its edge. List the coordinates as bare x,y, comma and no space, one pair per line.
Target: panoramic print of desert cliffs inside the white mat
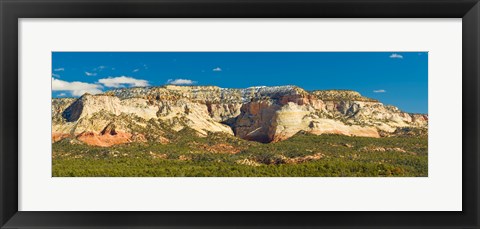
239,114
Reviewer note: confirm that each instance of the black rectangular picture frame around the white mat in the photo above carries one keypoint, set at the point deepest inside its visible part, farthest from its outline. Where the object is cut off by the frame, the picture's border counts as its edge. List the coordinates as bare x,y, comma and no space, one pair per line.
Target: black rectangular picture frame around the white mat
12,10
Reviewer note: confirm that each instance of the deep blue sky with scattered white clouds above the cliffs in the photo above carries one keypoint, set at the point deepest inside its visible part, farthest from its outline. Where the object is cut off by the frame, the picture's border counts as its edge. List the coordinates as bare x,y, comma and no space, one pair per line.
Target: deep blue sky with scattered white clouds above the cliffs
395,78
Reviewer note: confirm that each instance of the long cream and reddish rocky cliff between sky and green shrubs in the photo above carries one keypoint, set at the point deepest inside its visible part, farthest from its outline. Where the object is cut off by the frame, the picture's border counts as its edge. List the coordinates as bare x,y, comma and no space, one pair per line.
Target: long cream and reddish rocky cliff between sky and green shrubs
264,114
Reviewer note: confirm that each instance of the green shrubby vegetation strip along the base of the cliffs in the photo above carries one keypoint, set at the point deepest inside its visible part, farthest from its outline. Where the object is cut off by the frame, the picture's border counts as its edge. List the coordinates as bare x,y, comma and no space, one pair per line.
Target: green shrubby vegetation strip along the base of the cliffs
303,155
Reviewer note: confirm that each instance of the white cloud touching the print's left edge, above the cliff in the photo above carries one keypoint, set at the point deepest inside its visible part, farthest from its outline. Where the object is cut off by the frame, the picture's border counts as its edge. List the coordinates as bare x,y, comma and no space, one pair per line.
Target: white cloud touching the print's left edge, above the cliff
75,88
